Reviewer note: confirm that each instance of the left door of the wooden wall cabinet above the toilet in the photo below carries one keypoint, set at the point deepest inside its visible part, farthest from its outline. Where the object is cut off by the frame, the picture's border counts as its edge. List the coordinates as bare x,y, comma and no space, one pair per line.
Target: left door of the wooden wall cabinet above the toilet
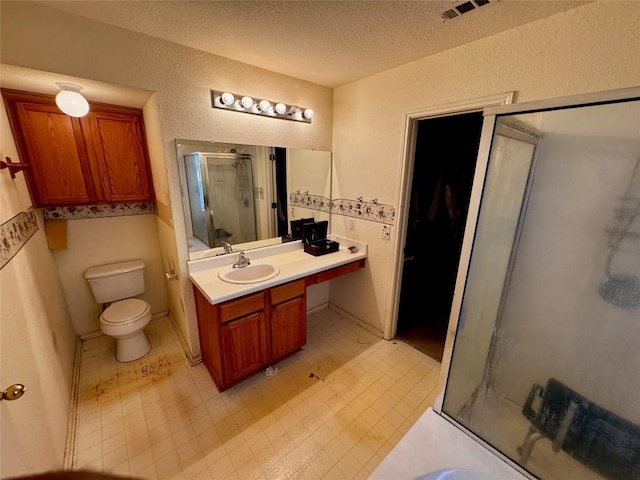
51,142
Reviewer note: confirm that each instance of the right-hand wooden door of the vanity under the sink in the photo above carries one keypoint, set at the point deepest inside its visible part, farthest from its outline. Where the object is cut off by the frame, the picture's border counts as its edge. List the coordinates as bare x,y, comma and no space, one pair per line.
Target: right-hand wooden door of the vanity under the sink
288,327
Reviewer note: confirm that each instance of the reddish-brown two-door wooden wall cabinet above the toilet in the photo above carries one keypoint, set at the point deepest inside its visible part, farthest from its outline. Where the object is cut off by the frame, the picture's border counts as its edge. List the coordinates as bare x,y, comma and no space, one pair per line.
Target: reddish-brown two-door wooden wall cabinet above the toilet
97,159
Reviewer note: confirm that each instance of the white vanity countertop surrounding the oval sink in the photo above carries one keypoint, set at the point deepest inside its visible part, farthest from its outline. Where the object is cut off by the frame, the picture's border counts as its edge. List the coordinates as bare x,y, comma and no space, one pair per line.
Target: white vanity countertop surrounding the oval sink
290,257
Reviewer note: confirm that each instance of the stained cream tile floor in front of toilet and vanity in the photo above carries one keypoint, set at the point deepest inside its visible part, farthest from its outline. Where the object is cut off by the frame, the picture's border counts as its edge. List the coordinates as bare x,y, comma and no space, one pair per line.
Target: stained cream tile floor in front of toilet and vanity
333,411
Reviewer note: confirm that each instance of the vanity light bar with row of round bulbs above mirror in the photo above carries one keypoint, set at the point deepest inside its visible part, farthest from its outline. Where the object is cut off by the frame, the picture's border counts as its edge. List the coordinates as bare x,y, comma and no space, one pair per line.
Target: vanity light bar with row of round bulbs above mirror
266,108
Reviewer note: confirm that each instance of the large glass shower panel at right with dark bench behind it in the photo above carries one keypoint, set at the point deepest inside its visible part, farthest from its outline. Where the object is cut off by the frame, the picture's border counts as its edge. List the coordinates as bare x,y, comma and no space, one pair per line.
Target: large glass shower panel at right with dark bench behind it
545,362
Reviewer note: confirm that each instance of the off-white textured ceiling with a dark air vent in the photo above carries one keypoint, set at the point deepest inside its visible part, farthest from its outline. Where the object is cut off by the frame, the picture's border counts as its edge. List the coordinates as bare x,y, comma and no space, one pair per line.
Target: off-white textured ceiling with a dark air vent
330,43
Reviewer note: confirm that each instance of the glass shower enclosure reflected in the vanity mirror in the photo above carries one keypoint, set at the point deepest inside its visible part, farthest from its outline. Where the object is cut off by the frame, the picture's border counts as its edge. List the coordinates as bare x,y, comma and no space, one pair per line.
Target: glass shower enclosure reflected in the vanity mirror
221,198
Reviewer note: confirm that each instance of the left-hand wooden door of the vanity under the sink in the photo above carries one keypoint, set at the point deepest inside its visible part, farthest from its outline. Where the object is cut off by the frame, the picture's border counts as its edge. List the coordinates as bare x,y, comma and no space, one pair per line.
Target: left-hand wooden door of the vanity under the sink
244,346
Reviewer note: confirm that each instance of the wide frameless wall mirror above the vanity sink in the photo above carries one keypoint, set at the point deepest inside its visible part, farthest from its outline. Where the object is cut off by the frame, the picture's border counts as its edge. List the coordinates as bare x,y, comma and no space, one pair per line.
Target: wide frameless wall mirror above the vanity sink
247,195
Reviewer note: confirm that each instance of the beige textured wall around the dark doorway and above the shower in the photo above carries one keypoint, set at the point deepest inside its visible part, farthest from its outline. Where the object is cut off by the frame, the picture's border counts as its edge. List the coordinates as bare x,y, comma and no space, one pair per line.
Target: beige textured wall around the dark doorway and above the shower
587,49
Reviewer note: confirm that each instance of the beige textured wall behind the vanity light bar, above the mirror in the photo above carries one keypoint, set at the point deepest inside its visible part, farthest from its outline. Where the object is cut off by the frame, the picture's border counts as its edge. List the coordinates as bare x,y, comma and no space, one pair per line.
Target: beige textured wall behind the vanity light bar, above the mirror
181,79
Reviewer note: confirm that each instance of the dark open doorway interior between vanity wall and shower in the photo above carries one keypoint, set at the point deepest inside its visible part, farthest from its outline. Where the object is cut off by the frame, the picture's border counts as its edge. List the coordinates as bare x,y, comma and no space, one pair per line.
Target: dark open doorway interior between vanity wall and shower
444,164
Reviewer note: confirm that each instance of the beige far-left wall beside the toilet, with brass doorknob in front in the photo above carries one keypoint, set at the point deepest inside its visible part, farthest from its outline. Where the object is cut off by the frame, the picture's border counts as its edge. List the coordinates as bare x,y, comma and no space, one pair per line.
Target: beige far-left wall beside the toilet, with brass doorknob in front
37,341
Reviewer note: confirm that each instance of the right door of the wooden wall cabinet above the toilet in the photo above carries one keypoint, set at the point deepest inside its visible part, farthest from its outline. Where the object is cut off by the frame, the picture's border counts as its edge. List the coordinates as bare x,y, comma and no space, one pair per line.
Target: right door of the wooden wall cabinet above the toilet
117,146
